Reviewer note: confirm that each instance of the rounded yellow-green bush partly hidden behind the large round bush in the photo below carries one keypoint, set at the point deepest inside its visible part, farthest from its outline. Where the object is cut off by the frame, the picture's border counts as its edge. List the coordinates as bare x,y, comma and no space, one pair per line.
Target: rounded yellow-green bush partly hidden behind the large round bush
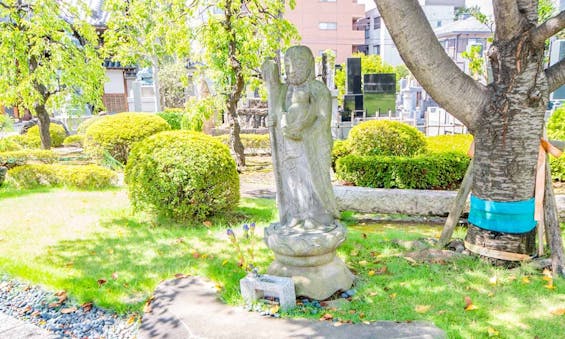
116,134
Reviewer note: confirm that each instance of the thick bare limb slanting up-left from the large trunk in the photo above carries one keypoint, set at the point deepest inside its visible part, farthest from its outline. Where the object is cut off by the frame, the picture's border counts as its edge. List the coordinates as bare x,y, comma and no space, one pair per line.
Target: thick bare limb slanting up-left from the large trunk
418,46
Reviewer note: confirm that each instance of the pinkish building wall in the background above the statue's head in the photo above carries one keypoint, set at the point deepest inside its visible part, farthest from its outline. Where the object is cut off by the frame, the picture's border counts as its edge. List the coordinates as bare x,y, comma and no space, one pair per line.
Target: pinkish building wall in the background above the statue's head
327,24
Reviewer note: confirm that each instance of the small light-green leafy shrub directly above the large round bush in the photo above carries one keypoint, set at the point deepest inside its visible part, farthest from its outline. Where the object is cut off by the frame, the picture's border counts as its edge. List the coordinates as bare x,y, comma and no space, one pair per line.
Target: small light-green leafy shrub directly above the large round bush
198,111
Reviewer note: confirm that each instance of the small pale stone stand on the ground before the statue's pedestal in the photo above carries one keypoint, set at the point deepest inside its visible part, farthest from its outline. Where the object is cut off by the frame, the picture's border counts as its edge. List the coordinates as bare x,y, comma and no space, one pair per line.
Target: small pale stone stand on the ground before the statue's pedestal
254,288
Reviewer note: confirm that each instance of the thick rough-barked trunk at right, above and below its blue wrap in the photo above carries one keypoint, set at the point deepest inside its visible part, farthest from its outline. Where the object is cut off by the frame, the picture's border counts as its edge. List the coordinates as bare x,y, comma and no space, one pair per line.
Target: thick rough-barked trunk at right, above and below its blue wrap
508,134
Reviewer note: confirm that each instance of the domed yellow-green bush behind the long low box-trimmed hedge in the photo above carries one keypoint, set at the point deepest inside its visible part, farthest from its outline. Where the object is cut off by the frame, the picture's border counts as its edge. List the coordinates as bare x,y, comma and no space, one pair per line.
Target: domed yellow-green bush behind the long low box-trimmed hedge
385,138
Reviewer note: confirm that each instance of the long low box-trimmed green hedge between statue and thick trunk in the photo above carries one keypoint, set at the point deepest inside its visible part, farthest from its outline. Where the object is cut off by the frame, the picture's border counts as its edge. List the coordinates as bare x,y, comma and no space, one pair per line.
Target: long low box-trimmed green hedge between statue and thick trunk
427,171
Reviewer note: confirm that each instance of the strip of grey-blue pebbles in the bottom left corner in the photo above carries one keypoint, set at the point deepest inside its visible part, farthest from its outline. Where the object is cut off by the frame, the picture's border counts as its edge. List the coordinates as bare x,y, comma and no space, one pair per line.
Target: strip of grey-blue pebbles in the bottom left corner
61,317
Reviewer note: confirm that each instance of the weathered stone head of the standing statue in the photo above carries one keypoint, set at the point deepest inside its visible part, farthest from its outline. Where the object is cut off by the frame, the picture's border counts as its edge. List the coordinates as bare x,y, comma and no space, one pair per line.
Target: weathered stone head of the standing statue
299,65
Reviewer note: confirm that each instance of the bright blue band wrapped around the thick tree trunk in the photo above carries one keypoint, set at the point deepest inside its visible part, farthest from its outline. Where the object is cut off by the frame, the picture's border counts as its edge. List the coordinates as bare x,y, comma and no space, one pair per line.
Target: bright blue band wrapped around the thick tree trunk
507,217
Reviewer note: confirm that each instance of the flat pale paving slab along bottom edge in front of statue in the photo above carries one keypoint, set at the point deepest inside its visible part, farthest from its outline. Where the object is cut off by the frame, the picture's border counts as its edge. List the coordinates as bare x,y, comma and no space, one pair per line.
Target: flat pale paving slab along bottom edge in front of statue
189,308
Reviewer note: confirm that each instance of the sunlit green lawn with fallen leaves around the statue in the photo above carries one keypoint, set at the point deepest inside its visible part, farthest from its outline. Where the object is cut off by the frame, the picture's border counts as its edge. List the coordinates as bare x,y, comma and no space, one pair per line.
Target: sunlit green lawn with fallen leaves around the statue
91,245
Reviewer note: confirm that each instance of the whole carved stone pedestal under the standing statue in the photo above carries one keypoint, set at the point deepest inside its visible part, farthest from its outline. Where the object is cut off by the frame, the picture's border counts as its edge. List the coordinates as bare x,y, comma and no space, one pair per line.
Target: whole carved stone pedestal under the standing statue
308,256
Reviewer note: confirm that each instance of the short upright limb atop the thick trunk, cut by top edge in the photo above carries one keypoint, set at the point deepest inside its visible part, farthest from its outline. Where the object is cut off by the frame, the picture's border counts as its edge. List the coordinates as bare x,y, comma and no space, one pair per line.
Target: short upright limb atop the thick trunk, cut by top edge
507,19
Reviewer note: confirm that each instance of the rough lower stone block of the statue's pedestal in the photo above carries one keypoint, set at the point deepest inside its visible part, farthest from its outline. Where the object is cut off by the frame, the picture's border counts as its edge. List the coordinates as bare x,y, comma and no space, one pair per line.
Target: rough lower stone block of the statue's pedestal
316,282
